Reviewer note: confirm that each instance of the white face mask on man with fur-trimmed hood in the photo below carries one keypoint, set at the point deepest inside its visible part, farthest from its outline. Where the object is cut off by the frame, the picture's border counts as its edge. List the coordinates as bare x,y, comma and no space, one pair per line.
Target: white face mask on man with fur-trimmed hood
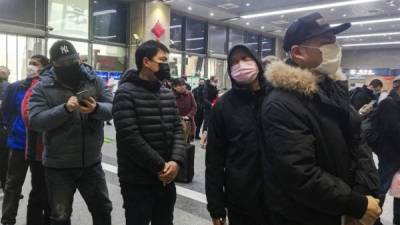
331,58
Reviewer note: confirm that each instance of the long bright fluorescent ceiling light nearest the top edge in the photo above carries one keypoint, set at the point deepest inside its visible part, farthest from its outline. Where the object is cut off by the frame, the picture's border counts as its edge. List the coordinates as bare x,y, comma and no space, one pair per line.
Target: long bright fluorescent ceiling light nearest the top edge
307,8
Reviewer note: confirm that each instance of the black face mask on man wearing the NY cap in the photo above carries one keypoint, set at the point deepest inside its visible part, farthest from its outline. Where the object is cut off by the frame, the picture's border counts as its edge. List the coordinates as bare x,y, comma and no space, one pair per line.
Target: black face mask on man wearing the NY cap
69,75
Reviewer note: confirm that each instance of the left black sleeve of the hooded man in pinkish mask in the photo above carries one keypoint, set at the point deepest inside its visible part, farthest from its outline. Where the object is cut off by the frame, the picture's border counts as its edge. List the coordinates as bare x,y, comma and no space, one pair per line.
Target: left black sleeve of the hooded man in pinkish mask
215,164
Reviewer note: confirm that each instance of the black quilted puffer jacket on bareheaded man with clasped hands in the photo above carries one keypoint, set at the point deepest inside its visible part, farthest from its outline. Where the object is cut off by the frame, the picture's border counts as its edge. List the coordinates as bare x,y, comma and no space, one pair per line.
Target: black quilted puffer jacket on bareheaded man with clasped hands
149,131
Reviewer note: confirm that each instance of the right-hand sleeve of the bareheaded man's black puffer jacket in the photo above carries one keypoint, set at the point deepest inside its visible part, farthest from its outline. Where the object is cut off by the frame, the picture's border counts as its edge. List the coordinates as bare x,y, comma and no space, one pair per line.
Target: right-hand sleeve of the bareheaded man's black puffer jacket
178,147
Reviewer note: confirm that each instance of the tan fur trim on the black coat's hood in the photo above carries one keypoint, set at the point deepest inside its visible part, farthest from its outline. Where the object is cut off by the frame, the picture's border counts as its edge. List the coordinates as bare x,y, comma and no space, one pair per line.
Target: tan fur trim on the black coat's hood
290,78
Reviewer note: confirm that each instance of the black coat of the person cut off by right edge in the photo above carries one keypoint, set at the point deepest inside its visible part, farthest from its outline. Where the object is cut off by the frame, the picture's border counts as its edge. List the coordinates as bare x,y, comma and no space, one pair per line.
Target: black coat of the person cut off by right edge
388,126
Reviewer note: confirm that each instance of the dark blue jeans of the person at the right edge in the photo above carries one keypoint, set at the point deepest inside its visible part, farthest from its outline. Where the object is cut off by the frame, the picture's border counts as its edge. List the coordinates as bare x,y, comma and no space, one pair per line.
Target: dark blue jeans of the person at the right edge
386,172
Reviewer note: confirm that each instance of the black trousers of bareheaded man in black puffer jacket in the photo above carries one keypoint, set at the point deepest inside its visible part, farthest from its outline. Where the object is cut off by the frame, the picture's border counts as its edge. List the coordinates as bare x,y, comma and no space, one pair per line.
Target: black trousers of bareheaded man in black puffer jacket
144,204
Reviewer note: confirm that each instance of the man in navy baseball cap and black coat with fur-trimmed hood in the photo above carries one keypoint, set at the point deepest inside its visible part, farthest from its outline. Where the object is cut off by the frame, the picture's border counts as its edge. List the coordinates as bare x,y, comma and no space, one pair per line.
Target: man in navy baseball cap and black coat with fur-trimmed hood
315,170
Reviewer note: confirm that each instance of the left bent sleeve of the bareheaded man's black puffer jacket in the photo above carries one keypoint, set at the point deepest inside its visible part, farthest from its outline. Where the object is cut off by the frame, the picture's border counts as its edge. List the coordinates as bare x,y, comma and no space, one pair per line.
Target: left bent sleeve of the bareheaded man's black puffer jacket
129,138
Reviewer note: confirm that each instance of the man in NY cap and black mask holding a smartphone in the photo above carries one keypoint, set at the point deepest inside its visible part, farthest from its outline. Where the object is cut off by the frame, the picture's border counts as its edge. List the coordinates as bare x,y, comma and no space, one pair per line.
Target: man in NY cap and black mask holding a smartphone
69,106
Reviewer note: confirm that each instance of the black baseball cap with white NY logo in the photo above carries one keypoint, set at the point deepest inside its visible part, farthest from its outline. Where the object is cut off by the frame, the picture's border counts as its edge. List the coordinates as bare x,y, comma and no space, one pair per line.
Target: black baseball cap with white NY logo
62,50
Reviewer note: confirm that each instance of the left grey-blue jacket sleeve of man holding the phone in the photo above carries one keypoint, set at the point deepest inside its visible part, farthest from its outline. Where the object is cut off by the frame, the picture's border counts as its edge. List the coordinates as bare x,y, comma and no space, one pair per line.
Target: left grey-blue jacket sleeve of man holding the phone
43,118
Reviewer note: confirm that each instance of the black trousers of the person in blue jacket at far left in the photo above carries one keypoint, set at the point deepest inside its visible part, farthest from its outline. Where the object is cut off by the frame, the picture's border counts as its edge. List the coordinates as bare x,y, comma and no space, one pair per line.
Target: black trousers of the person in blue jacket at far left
17,168
